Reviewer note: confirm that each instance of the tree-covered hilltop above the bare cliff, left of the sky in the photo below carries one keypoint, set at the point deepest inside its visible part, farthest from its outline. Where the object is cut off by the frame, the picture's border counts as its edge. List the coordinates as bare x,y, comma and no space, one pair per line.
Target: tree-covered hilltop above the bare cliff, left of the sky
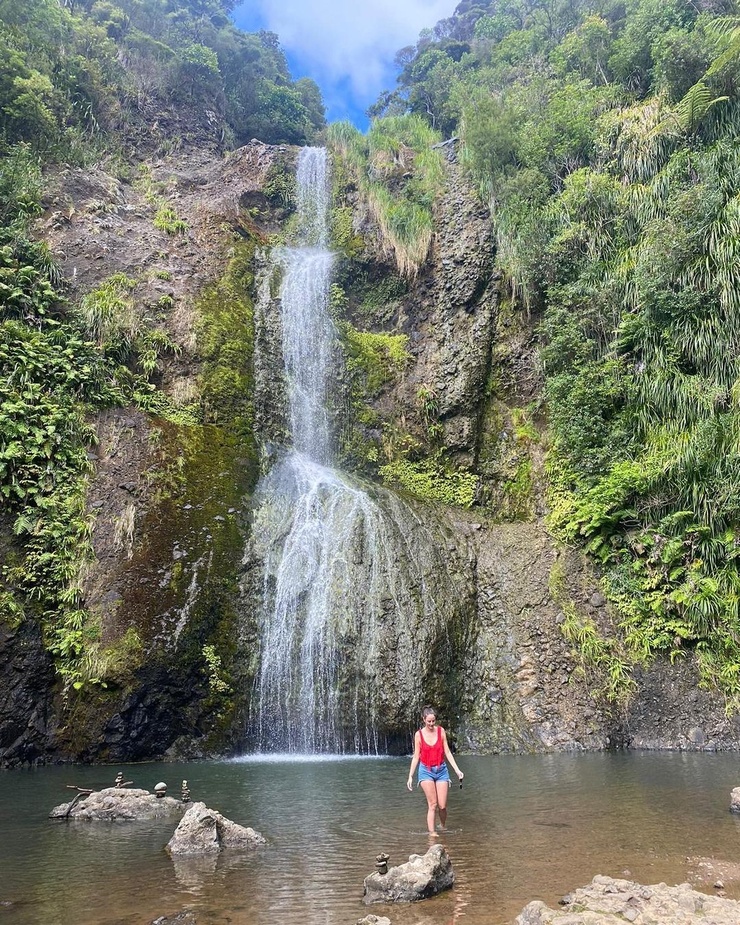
93,75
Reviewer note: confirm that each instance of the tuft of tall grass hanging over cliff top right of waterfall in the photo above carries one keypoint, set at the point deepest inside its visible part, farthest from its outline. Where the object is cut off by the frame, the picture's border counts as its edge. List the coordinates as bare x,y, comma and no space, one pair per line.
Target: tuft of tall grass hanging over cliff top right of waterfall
399,173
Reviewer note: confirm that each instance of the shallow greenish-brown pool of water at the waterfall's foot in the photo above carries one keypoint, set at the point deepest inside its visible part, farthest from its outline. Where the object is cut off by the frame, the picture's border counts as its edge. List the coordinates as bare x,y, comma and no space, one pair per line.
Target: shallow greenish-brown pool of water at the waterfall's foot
528,827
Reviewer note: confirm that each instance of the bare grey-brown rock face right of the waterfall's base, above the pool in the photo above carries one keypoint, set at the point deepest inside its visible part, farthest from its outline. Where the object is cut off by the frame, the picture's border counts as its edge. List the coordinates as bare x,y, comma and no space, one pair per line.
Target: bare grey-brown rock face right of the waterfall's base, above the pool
526,688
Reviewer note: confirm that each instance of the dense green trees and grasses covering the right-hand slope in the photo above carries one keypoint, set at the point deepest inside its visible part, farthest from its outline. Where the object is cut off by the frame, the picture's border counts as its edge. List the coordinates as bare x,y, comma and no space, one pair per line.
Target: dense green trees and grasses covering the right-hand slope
605,139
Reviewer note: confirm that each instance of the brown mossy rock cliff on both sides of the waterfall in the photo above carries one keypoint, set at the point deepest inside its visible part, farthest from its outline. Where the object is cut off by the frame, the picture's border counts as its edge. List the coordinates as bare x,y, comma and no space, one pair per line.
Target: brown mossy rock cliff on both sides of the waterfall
170,586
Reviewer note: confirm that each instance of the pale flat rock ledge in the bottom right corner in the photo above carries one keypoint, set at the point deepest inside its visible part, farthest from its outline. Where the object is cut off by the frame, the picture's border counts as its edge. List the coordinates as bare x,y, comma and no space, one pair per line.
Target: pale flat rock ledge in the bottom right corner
613,902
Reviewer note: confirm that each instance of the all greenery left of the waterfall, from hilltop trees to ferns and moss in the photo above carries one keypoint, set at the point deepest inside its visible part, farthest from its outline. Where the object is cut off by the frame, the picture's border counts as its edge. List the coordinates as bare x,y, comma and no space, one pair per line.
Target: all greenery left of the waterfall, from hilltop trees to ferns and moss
85,83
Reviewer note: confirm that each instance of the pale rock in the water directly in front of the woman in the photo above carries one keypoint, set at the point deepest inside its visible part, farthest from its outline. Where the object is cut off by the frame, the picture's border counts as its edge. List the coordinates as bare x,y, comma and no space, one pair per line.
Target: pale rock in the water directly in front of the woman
422,876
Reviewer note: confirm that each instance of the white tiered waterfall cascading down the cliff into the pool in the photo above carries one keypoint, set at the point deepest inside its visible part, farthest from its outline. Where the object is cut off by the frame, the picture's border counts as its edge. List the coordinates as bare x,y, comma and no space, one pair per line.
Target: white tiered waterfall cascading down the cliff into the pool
345,599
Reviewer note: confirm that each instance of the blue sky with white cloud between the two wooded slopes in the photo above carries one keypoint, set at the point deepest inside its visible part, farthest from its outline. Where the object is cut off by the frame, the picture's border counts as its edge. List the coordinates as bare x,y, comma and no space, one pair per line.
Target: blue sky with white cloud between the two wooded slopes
346,47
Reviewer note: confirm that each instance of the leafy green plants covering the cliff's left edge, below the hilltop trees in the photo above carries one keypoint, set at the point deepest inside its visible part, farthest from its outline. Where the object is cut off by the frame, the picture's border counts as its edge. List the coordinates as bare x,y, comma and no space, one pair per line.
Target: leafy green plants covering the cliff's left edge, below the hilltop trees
56,366
